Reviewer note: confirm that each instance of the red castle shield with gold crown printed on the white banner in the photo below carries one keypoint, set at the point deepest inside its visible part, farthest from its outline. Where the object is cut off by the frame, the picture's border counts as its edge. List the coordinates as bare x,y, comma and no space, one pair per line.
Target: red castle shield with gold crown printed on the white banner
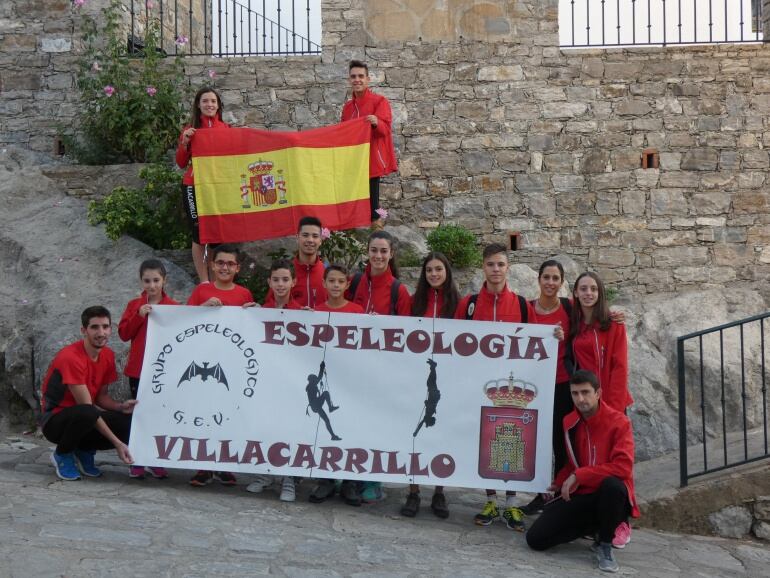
508,440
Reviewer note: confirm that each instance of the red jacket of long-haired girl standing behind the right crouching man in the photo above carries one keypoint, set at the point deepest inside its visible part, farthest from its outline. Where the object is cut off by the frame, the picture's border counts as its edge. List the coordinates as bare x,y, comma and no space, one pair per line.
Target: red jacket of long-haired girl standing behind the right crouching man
606,354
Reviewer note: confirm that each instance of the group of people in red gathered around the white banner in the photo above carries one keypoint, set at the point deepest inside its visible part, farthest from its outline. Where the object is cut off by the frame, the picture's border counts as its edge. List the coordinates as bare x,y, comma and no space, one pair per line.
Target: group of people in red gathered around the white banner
592,443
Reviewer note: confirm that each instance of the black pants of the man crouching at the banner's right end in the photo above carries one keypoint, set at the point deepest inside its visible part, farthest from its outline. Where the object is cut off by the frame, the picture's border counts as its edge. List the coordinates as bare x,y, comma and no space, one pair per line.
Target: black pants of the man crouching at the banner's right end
601,512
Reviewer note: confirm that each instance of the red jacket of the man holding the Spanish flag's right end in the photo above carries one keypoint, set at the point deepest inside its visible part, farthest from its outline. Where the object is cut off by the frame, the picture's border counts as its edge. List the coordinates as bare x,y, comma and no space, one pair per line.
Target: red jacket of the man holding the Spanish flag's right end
382,154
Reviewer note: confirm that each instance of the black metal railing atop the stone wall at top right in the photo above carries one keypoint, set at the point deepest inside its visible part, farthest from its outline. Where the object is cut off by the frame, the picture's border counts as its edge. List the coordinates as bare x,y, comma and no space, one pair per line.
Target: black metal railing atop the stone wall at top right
608,23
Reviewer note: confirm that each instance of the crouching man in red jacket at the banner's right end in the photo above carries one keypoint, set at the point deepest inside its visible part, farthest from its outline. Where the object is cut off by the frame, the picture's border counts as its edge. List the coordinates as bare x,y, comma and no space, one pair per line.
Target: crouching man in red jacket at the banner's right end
594,491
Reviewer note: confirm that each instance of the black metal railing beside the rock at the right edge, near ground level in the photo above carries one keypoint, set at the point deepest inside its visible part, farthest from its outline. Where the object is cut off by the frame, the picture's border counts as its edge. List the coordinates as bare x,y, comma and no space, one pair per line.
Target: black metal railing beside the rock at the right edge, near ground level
723,398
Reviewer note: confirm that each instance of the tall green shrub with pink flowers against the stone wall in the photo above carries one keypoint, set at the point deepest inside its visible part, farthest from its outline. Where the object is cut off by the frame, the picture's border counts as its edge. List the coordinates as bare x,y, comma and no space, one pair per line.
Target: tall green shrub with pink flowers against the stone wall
131,105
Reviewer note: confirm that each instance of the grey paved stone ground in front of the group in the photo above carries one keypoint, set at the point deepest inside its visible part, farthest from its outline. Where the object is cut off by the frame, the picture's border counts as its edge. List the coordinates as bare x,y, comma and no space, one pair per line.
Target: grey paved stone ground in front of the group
116,526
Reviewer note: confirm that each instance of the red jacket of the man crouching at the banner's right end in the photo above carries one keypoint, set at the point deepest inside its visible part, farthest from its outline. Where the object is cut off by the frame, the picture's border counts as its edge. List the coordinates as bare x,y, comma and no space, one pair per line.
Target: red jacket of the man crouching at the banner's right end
598,447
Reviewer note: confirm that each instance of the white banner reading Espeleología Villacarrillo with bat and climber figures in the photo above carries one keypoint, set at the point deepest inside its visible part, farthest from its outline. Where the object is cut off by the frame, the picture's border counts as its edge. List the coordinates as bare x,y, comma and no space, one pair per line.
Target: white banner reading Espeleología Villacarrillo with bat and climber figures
399,399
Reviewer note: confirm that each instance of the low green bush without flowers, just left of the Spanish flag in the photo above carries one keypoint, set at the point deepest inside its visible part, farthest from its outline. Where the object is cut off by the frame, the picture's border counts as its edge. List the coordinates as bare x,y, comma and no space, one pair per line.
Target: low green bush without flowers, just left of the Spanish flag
151,214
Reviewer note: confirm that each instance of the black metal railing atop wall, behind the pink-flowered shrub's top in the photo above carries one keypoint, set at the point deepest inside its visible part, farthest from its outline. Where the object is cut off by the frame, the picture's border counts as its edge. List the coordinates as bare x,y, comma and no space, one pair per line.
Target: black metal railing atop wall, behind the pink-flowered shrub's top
230,27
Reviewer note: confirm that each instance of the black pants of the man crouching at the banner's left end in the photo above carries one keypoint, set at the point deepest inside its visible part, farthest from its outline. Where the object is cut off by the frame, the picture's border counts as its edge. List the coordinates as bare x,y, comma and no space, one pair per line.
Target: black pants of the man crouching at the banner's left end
75,428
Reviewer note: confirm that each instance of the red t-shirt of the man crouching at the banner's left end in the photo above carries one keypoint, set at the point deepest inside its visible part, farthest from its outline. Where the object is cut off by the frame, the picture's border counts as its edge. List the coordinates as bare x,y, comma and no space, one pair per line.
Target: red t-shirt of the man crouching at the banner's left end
73,366
